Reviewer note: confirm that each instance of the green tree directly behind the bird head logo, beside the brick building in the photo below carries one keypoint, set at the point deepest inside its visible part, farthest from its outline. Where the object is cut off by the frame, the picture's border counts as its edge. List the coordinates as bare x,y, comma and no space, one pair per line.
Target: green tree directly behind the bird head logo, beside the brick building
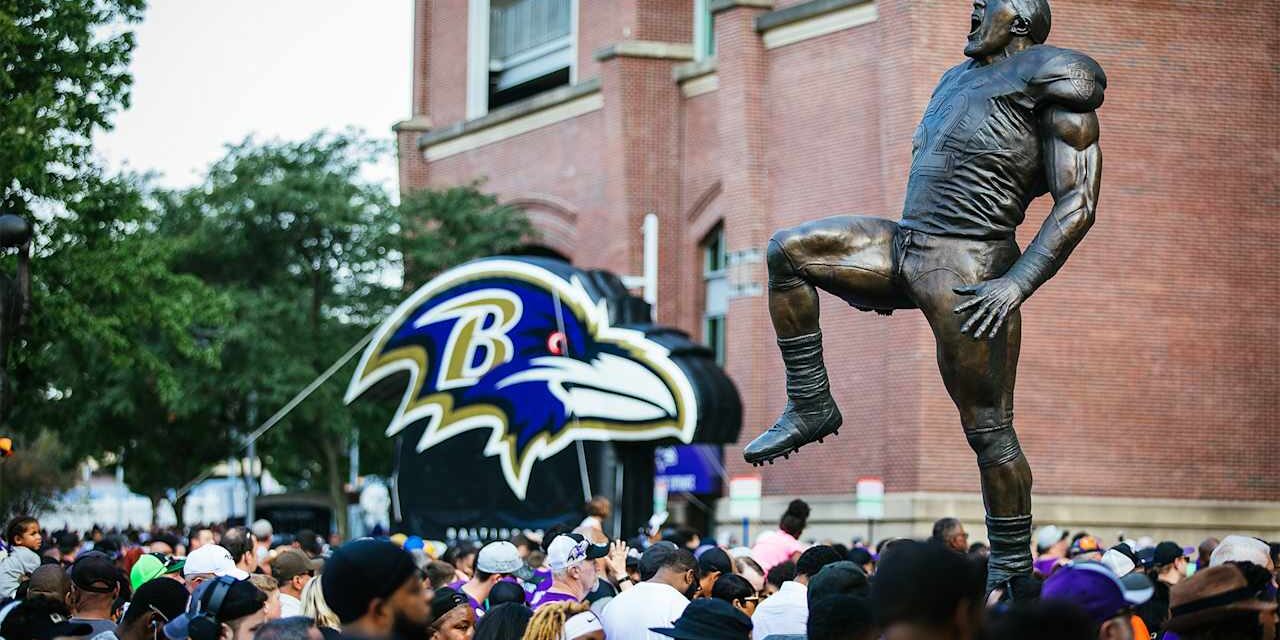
310,255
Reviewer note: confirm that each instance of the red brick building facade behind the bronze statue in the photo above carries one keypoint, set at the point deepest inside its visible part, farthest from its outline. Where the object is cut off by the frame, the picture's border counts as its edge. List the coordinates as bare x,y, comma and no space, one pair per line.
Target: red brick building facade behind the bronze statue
1148,397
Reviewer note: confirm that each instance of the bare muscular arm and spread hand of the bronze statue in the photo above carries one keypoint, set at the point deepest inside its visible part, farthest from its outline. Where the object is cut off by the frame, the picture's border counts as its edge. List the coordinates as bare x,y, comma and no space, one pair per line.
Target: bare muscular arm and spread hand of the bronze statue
1075,172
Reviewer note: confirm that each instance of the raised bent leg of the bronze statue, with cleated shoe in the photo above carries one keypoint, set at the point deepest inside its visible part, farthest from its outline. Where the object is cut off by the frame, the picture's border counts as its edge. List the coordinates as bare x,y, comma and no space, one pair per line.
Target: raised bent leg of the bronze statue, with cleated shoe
849,257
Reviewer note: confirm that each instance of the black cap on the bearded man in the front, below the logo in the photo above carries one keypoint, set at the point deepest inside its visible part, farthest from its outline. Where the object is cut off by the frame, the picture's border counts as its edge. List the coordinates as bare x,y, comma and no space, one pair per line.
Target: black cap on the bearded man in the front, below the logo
362,572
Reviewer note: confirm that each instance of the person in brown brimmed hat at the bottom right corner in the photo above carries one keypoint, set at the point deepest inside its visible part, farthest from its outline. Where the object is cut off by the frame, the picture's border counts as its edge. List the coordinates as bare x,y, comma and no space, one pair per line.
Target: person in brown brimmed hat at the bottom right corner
1228,601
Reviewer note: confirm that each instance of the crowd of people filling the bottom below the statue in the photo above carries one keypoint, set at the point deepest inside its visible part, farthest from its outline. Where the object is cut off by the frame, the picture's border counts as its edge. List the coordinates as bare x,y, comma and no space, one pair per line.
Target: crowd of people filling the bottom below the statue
577,584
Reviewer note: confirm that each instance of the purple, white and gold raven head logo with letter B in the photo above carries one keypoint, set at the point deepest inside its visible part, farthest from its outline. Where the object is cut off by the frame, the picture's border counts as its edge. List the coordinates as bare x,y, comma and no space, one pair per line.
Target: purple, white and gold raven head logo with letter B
511,346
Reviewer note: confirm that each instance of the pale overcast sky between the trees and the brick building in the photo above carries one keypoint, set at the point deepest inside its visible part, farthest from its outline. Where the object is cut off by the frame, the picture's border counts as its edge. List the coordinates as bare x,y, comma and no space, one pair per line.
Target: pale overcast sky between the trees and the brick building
211,72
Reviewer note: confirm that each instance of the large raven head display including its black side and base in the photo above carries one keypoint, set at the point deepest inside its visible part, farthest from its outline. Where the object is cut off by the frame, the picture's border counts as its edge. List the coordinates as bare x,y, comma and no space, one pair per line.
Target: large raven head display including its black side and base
502,365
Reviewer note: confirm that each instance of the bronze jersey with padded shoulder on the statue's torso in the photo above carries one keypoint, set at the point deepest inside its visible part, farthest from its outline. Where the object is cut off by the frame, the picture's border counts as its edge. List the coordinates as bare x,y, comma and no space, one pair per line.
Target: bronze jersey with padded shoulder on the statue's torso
977,156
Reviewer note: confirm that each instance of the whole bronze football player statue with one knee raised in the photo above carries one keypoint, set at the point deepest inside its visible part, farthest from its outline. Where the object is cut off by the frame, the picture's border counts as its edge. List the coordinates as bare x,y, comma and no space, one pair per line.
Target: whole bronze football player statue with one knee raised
1014,122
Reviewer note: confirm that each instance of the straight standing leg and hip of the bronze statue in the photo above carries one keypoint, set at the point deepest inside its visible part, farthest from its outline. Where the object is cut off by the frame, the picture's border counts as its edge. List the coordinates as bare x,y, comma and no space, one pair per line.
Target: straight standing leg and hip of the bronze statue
980,377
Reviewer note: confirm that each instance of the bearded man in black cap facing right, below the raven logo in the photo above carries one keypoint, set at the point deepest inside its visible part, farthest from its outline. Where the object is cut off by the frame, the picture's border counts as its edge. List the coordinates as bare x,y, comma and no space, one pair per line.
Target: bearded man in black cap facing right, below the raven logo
374,589
